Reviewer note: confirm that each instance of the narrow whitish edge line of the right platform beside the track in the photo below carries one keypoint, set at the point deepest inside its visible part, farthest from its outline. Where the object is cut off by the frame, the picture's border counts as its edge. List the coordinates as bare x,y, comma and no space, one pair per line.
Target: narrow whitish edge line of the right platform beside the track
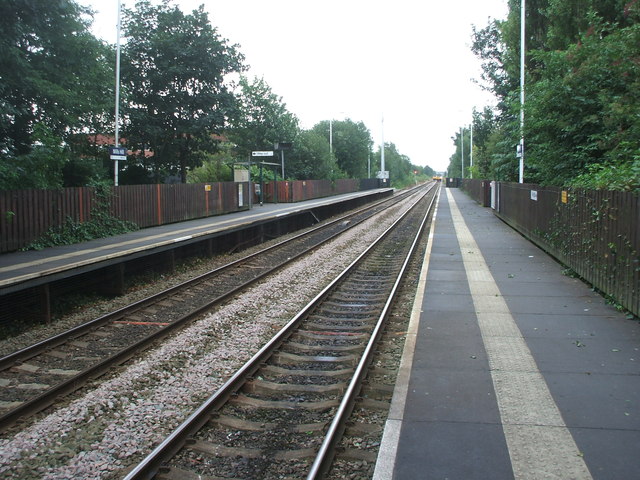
388,450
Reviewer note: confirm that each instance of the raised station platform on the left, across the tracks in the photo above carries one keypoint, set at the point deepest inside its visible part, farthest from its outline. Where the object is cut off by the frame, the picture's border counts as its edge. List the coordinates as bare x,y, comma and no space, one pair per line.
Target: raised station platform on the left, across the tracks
19,270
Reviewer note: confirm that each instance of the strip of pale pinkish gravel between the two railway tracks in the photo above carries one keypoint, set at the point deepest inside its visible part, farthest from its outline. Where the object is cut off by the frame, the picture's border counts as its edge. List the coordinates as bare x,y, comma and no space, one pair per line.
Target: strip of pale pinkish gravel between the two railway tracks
111,427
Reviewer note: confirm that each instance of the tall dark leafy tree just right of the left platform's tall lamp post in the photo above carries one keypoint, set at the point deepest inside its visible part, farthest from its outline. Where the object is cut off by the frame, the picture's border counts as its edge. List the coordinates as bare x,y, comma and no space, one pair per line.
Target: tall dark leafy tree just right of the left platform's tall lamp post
173,77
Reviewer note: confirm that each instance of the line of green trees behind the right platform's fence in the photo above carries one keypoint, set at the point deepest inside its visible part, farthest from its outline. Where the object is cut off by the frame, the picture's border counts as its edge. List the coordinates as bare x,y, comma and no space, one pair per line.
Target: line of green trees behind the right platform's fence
582,108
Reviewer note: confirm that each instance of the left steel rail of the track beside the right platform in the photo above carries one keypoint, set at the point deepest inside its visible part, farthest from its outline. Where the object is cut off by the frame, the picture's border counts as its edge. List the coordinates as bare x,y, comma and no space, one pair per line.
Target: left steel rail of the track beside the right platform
150,465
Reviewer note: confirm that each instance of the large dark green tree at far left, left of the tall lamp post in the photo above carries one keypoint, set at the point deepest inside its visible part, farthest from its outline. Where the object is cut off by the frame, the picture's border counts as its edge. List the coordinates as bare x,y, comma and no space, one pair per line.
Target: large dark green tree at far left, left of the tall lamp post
56,80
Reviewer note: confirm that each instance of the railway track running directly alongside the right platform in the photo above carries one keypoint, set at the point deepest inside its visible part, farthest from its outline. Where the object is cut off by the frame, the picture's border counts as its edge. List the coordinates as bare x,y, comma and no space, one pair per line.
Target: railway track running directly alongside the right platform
282,414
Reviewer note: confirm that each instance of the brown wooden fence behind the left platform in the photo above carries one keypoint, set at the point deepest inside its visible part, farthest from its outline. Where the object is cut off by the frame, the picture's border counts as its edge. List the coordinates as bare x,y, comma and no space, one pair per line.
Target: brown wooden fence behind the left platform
26,214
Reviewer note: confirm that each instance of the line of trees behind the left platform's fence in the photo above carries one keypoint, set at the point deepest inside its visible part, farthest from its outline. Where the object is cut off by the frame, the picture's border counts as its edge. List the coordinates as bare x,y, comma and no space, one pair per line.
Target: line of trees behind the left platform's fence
188,109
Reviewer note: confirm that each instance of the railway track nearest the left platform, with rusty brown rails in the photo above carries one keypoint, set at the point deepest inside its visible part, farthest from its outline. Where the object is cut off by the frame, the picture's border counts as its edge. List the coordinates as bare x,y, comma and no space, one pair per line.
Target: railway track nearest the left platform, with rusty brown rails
33,378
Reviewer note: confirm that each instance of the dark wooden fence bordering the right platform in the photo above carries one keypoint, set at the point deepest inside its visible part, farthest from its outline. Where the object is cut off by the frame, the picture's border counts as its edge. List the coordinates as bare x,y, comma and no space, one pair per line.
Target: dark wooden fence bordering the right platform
594,233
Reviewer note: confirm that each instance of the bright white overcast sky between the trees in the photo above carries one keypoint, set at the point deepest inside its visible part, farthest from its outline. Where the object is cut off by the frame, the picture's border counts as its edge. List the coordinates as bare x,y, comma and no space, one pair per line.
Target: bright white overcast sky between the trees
407,60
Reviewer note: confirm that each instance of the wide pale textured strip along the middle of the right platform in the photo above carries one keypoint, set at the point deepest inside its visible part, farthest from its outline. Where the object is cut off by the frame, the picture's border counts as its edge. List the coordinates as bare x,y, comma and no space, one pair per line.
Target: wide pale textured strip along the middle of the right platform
540,444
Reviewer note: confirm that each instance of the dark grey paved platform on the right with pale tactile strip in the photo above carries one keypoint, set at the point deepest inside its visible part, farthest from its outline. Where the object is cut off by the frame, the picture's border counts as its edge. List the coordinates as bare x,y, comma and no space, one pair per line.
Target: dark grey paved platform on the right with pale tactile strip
512,370
